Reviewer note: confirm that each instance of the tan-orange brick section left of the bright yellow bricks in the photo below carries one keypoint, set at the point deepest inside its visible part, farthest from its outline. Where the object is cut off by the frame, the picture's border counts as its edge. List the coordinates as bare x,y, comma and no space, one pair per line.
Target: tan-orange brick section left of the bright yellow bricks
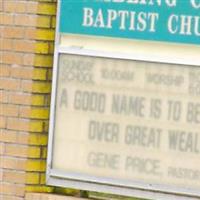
17,51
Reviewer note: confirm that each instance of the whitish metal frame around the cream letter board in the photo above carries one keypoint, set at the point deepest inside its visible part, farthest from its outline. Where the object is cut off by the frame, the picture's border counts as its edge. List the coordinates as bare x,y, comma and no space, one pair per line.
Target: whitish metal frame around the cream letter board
91,183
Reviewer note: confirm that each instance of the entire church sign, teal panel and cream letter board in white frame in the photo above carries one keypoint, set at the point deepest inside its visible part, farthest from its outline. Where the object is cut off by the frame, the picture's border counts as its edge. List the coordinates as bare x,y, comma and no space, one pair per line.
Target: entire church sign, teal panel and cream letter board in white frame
127,123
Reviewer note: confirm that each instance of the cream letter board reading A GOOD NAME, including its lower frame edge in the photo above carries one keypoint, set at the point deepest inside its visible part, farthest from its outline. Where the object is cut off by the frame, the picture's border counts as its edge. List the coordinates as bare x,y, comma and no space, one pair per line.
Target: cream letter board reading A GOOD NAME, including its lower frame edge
126,124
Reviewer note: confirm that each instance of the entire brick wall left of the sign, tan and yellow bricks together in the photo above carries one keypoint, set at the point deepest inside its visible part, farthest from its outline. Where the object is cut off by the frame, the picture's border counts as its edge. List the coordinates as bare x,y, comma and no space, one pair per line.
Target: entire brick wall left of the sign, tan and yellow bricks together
26,54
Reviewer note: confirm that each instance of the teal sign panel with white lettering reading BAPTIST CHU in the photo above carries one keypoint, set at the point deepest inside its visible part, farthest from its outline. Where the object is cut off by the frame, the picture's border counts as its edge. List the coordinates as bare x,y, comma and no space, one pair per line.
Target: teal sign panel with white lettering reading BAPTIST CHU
155,20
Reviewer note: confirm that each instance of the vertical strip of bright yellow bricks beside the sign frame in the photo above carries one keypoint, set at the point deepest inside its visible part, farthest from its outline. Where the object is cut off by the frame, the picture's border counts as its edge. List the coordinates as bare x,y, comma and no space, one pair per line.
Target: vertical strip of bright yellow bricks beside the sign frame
39,114
